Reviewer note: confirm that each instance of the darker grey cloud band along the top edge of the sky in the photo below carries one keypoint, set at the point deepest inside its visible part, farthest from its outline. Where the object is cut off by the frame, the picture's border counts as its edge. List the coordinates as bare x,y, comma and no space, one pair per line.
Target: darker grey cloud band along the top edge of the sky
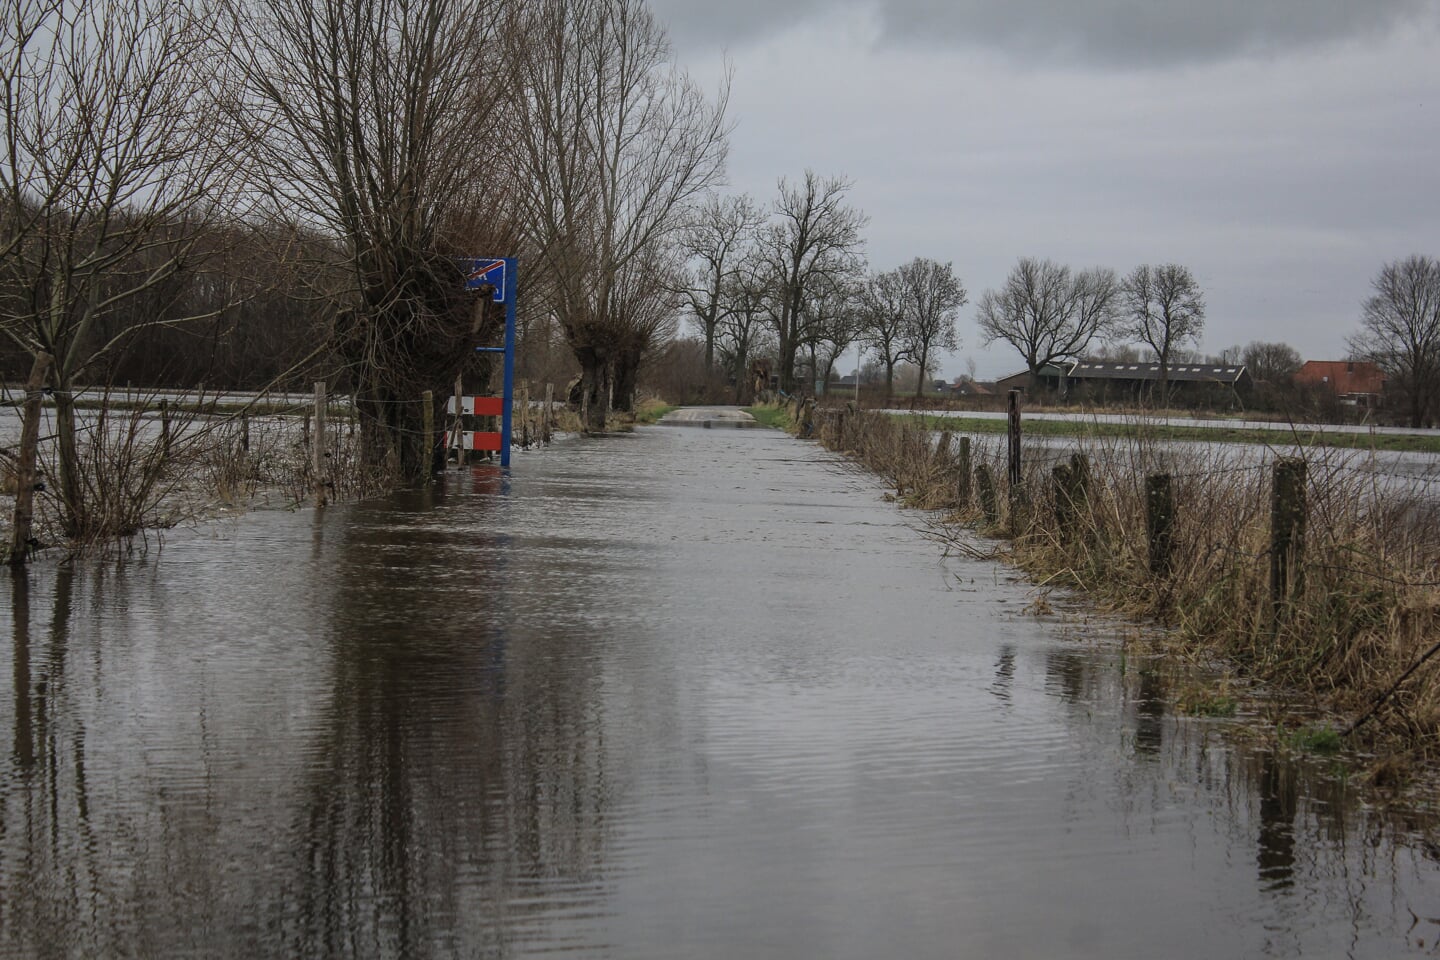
1111,32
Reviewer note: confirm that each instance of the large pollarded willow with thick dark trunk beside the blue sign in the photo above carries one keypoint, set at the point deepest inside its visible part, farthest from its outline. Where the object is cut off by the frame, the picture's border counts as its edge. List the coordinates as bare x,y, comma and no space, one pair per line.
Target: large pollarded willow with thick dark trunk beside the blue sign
372,124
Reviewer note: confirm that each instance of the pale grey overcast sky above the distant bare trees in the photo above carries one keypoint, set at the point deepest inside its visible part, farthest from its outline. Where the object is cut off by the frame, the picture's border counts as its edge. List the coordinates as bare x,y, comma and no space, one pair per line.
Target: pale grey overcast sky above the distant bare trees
1284,150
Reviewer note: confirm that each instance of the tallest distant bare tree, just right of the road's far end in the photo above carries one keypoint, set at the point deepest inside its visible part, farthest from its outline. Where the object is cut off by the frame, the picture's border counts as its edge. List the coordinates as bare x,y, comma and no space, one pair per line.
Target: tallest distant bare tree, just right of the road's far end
814,238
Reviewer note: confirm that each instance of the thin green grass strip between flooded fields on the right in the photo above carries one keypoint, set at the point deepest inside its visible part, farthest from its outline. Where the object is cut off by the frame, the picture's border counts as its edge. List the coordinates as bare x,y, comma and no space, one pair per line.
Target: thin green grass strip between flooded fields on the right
1300,435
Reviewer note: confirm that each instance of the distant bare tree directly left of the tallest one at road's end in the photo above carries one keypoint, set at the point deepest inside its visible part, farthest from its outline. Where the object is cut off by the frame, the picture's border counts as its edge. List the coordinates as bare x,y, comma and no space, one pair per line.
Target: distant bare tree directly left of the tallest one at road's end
716,241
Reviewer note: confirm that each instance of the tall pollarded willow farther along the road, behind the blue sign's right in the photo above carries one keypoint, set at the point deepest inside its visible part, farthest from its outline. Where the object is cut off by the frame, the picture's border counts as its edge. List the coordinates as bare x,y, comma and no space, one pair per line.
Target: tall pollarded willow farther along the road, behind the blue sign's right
613,145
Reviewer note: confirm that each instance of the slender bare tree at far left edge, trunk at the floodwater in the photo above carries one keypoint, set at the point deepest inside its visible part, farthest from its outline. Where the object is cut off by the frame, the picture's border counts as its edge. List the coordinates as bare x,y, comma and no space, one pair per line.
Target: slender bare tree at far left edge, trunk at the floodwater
113,168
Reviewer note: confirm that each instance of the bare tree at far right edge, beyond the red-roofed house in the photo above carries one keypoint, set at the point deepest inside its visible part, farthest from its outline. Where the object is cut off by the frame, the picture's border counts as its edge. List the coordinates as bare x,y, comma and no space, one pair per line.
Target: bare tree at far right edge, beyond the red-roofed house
1400,330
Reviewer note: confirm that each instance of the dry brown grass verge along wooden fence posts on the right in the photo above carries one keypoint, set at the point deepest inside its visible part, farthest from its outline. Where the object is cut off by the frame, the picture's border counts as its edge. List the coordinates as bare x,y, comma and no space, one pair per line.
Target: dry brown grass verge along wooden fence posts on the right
1353,638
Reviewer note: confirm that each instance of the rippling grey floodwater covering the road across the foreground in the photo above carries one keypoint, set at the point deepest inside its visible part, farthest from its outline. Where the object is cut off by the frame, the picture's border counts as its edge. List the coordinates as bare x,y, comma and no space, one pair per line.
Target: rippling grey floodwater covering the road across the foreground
676,694
